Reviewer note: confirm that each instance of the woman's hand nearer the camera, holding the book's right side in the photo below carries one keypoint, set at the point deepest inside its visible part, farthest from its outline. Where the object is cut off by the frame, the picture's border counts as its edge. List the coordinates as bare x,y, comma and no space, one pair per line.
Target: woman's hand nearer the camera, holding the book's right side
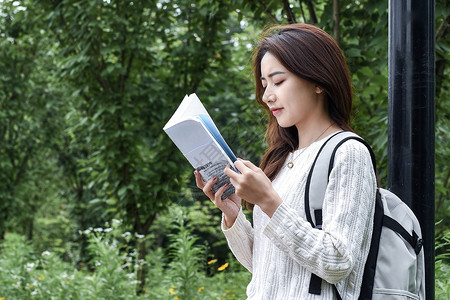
254,186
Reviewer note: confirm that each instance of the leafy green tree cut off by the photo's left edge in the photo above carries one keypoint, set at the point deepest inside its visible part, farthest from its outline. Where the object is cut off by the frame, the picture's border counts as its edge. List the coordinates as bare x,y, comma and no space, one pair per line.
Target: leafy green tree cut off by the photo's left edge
28,121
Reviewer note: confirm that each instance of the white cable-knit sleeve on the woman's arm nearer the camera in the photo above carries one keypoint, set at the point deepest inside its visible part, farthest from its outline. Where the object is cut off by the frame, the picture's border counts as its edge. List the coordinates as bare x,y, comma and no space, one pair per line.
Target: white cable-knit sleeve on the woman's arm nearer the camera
343,243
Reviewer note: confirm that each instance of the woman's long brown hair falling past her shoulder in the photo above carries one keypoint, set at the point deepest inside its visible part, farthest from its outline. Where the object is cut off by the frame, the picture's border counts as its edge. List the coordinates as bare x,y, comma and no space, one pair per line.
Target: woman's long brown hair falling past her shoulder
311,54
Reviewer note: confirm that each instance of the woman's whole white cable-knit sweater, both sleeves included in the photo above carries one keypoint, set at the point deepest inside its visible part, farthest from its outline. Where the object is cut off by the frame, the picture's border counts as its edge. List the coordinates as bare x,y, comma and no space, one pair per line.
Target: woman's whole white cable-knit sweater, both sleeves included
282,251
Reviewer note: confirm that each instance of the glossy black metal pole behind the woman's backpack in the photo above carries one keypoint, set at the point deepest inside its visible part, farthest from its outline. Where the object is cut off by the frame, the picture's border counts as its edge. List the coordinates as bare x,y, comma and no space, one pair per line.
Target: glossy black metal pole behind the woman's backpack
411,115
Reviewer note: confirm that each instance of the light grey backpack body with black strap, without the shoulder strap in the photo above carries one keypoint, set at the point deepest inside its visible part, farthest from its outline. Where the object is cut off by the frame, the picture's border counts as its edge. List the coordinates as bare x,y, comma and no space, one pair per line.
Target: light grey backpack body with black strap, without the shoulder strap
400,262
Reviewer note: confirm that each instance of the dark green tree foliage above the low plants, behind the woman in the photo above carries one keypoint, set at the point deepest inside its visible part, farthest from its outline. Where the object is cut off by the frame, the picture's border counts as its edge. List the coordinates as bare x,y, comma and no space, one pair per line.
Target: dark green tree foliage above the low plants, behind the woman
86,87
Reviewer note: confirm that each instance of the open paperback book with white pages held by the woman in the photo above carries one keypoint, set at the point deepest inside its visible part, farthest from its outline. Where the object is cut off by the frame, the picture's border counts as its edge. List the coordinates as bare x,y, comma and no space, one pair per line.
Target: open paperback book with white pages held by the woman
195,134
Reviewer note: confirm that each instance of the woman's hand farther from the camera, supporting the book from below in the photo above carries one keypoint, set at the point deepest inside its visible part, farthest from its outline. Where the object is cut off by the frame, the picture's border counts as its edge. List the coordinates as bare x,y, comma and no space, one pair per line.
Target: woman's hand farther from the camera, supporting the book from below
229,206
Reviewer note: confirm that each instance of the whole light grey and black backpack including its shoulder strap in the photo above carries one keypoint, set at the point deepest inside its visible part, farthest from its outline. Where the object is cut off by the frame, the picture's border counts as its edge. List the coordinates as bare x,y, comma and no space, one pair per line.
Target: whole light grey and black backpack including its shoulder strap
395,265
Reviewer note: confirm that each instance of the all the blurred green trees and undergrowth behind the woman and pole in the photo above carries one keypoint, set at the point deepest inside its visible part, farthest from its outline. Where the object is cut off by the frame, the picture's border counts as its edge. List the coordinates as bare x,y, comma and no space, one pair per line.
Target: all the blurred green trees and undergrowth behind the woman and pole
95,200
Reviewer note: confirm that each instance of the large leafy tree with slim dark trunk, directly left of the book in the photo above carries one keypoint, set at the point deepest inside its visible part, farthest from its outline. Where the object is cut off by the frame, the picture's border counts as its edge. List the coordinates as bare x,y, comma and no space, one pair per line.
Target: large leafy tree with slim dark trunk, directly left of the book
126,66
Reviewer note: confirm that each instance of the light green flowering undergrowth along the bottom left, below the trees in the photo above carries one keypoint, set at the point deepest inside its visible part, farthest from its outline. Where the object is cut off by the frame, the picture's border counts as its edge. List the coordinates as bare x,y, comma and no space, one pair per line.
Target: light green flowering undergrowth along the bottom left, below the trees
182,273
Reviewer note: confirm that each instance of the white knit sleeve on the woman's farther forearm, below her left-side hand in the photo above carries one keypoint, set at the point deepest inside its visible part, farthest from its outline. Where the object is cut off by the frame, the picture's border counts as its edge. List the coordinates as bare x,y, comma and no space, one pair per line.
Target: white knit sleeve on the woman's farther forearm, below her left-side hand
240,239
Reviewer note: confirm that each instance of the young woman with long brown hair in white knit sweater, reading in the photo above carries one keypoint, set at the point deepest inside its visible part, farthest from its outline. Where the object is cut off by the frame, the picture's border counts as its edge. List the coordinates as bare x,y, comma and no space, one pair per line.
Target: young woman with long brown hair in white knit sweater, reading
303,83
